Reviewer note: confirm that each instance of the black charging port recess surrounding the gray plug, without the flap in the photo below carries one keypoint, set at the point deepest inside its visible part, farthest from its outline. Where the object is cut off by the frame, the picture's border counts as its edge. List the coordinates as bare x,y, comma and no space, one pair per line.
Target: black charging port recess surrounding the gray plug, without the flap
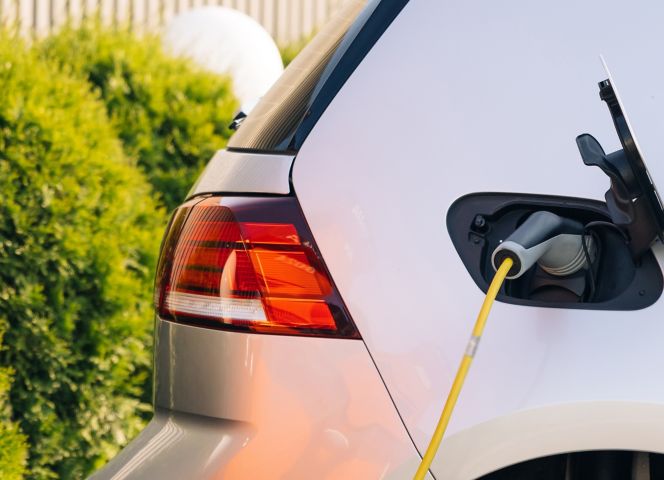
477,223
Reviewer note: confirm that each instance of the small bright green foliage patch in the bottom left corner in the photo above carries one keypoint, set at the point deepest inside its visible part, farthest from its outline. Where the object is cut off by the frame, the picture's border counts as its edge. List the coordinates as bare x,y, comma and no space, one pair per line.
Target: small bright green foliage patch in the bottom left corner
13,447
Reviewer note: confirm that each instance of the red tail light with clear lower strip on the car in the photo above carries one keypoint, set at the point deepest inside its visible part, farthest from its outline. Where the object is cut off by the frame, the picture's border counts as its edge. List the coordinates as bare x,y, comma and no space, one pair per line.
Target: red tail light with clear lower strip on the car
247,264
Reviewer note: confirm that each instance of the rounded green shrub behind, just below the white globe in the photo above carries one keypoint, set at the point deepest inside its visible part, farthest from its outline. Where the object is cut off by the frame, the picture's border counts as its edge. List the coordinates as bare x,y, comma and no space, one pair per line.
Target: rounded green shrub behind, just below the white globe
170,115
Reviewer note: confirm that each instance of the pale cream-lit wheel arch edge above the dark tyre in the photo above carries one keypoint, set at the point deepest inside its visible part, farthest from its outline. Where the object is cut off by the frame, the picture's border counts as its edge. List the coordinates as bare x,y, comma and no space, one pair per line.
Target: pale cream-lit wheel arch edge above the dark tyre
550,430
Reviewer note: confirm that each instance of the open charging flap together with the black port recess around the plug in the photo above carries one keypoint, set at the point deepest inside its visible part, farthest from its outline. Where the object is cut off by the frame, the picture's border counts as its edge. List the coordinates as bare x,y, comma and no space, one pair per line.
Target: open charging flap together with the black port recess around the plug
620,271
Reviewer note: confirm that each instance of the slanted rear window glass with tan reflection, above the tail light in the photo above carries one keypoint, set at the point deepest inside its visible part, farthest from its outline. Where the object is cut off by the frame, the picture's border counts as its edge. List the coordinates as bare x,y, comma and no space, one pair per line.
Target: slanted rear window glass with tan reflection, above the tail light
279,112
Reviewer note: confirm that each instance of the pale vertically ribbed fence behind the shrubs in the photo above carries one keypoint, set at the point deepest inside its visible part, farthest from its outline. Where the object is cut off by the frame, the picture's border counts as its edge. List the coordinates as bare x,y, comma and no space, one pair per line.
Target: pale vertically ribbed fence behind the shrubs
286,20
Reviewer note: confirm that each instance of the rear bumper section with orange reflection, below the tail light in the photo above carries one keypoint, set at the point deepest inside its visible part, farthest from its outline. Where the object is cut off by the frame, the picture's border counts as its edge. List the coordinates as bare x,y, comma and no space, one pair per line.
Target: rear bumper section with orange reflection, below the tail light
276,407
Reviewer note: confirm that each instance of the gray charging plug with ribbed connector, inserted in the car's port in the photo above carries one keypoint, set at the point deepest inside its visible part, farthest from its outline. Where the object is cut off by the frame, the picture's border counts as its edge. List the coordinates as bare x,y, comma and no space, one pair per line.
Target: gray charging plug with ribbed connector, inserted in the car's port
552,241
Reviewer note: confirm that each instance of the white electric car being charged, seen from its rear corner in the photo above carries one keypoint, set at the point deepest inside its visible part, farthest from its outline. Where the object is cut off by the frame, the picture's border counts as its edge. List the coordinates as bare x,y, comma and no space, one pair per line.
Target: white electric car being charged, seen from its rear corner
317,288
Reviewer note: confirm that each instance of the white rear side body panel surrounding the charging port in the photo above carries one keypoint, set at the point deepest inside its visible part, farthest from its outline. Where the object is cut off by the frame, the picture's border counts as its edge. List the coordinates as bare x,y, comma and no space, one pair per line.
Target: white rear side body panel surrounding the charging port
457,98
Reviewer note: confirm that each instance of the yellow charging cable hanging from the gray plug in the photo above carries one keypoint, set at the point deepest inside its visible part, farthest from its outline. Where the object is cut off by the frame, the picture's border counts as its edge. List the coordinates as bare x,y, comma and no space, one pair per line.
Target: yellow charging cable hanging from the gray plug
467,359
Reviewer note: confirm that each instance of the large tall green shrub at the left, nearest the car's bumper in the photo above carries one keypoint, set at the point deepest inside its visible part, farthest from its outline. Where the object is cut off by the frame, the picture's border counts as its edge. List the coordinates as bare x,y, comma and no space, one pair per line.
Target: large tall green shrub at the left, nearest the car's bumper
79,236
